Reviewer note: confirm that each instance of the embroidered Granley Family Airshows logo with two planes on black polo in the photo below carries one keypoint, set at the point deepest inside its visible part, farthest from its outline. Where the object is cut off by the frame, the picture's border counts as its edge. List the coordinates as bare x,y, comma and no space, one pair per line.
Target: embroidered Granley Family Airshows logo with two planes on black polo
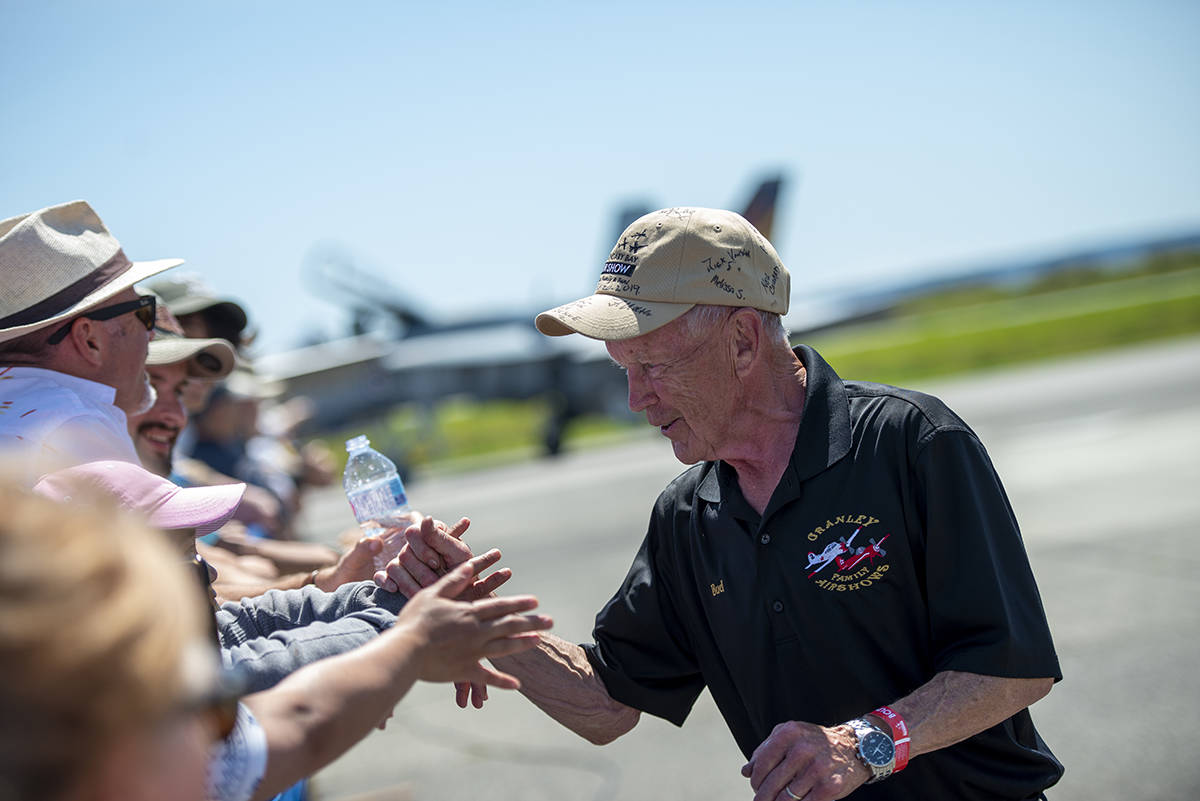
851,559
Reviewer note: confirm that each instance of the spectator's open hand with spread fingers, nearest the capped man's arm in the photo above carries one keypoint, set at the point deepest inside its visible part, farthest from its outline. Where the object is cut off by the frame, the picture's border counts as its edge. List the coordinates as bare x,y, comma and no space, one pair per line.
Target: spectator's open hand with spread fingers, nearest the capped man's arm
452,636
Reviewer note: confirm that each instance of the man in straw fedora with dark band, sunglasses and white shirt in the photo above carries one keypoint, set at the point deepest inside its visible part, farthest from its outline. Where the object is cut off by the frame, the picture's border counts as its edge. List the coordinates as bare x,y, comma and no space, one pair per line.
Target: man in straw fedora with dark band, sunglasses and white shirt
74,340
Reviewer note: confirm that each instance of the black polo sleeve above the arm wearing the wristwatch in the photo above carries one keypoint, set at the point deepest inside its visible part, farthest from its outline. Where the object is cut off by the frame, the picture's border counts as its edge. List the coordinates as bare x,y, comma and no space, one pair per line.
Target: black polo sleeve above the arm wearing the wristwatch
986,611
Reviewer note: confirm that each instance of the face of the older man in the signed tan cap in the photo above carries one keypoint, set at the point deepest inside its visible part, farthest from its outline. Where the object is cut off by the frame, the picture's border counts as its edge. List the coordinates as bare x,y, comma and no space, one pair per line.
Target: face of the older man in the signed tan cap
682,384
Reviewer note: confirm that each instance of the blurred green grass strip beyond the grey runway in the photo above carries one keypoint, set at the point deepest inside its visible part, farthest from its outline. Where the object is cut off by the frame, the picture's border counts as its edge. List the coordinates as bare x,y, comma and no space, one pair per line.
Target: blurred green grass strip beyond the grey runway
956,332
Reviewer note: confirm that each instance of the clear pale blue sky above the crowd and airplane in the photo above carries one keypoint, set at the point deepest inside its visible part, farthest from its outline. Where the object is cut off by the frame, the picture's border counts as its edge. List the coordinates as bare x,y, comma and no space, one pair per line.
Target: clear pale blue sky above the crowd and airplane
476,154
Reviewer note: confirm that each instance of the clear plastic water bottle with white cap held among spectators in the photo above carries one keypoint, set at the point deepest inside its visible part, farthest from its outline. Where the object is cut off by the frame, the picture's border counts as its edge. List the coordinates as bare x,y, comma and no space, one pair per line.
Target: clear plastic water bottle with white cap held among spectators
376,495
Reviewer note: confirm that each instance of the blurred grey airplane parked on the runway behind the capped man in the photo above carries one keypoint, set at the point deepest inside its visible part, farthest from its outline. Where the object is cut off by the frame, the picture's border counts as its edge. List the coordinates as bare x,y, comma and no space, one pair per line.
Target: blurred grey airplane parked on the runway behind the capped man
398,354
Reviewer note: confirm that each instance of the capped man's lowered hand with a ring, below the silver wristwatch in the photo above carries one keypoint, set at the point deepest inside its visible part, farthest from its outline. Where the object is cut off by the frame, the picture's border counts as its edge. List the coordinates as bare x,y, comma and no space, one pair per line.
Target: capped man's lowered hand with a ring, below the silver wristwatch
814,762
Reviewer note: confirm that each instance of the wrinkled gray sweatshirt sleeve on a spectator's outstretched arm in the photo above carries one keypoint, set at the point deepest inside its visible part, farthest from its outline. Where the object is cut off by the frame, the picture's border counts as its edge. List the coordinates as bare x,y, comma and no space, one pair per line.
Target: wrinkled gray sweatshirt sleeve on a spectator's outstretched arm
268,637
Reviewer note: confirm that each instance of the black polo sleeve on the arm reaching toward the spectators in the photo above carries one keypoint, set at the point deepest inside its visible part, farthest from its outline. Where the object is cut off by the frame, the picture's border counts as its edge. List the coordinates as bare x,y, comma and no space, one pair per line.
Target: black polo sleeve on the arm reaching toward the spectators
641,652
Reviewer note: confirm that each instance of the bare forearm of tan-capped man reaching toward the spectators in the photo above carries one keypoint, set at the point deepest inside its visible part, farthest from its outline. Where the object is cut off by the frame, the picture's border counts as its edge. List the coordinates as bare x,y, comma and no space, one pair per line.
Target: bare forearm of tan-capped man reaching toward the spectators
559,679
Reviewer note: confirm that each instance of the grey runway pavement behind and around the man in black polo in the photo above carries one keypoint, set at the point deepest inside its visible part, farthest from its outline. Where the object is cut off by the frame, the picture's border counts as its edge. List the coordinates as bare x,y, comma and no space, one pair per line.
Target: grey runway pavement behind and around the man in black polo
1101,457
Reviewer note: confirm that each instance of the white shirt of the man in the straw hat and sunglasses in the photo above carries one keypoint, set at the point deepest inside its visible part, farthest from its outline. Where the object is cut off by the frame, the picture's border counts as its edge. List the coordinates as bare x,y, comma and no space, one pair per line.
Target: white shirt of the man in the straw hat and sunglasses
50,421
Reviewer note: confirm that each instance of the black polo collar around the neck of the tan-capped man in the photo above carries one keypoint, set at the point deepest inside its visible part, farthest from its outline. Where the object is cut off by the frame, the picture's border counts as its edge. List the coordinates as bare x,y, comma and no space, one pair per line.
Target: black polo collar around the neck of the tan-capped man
821,442
